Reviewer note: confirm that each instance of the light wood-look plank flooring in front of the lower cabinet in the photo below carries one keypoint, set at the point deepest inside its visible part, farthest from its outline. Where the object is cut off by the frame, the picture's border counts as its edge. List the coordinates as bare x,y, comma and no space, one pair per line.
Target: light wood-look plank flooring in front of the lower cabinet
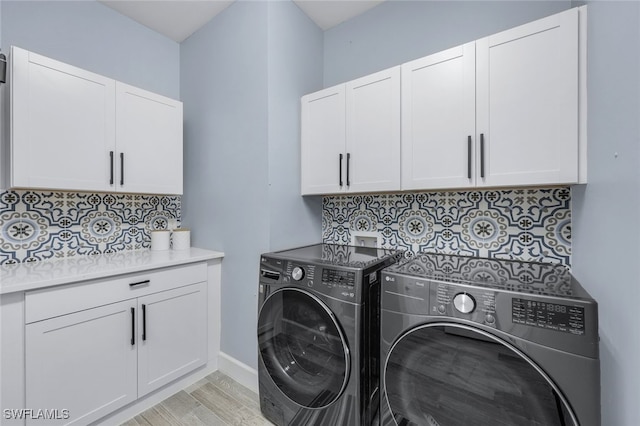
216,400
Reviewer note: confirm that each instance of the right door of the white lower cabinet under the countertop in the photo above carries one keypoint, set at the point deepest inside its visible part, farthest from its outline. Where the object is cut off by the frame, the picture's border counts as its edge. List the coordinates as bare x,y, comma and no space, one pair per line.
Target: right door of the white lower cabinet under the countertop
172,335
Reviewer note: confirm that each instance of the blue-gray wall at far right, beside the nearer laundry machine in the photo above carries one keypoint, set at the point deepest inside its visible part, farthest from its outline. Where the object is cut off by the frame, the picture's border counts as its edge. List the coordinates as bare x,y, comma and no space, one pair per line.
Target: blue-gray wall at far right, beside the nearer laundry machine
606,211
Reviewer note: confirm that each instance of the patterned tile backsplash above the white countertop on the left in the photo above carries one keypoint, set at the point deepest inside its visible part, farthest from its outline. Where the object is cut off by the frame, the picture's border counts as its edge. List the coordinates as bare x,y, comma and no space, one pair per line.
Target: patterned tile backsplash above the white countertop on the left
39,225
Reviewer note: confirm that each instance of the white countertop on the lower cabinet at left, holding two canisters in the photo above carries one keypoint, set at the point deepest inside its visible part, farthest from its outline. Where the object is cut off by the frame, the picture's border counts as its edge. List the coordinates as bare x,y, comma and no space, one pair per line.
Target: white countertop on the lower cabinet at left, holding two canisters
47,273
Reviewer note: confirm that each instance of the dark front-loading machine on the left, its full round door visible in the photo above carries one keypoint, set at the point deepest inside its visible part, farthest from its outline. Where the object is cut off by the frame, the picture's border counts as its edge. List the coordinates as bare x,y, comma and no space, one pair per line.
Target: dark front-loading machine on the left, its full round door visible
318,334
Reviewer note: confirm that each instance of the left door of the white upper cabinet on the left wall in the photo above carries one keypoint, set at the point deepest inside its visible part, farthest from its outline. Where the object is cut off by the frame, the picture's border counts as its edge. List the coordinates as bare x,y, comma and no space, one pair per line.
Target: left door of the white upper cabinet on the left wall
62,124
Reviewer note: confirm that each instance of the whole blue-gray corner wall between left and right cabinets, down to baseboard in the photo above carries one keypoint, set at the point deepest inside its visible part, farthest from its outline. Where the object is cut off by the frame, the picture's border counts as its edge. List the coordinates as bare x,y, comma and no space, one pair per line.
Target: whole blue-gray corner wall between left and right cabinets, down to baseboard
242,78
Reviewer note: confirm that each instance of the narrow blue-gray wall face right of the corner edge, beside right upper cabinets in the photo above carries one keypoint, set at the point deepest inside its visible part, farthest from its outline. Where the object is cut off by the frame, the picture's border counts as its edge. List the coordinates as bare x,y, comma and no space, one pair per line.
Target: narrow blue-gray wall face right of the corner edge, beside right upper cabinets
295,68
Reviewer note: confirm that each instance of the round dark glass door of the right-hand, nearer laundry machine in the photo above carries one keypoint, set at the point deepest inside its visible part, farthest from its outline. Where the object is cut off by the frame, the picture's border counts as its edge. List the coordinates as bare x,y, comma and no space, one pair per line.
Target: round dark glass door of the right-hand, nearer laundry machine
450,374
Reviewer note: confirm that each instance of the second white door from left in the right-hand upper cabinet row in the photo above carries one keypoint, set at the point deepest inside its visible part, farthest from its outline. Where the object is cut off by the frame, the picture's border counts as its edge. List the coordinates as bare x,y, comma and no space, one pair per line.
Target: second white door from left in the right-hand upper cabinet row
373,132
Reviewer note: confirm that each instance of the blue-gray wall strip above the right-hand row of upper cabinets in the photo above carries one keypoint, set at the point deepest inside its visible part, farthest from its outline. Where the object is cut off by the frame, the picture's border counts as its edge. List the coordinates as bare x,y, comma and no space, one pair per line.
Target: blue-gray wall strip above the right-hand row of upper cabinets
398,31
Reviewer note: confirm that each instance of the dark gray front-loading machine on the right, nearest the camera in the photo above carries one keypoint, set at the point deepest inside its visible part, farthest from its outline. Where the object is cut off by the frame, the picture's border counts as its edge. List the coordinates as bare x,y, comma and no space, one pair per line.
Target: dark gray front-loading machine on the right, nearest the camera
468,341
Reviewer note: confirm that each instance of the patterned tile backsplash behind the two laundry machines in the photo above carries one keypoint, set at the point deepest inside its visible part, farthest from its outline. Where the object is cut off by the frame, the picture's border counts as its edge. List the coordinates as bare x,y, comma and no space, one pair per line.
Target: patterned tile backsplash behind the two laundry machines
521,224
